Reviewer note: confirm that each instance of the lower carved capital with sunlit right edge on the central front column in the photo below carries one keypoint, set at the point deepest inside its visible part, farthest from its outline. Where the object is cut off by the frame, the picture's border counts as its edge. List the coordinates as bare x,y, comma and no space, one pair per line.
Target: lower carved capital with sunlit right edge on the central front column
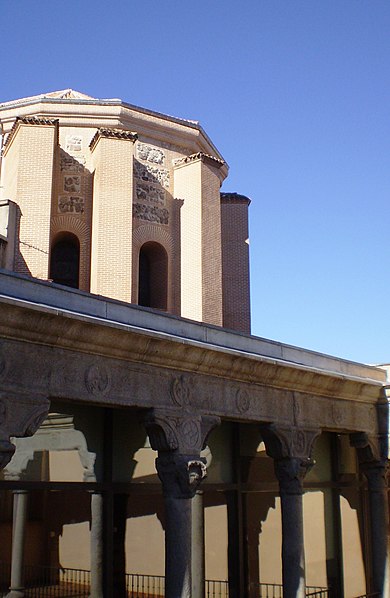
180,474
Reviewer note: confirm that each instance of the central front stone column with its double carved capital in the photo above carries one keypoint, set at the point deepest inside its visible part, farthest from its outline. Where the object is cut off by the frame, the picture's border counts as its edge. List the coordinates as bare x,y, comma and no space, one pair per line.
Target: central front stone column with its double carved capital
179,436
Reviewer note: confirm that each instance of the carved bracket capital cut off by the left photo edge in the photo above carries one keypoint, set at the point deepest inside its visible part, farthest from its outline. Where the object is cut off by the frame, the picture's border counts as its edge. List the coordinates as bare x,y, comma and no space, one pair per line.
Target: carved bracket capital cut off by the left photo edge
20,416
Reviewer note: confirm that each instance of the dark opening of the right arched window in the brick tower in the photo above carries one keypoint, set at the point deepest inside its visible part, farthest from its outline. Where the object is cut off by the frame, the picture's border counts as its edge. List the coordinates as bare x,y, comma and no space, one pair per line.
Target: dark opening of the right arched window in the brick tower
153,276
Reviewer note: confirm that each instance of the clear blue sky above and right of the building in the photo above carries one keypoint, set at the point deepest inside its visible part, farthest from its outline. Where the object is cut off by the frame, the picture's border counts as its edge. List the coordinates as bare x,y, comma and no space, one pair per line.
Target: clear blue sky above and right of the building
294,93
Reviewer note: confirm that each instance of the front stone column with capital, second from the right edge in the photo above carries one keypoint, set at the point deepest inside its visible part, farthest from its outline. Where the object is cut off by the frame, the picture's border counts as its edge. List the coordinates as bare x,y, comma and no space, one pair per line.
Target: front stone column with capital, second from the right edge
291,449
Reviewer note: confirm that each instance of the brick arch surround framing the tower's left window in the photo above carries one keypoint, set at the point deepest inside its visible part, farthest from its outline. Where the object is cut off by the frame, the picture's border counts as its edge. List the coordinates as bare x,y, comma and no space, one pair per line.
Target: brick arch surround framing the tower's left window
72,224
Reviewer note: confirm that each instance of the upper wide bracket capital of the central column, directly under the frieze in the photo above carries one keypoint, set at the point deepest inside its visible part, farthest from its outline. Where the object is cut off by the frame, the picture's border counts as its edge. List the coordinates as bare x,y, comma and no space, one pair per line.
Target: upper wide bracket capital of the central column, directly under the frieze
172,430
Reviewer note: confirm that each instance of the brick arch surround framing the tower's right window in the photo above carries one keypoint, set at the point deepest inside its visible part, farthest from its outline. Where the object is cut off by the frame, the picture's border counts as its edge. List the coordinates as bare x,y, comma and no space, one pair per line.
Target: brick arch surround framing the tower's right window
144,234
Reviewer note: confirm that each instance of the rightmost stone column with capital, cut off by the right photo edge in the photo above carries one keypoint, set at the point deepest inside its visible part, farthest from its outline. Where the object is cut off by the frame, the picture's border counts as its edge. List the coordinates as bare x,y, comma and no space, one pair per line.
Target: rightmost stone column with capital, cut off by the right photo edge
373,462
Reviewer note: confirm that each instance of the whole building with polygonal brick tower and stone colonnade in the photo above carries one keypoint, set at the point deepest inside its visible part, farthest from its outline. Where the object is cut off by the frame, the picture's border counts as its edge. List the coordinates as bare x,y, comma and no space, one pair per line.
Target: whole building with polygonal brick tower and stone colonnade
149,445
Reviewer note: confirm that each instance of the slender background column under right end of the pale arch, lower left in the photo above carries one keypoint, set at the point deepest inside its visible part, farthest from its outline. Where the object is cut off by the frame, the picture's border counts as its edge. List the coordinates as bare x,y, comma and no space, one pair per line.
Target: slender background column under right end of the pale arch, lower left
97,531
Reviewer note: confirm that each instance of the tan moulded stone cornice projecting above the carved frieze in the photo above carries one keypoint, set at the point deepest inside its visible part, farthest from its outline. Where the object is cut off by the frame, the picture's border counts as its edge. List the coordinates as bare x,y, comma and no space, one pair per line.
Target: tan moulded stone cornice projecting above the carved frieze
101,335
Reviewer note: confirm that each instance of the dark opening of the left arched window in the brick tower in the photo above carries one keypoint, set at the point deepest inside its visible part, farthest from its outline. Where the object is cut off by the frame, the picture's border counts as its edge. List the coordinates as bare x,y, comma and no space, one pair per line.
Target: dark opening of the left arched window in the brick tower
65,260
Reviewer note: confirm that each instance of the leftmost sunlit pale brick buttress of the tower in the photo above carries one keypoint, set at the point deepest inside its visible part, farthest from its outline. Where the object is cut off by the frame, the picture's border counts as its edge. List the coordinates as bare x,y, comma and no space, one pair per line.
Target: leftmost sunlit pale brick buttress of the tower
32,154
